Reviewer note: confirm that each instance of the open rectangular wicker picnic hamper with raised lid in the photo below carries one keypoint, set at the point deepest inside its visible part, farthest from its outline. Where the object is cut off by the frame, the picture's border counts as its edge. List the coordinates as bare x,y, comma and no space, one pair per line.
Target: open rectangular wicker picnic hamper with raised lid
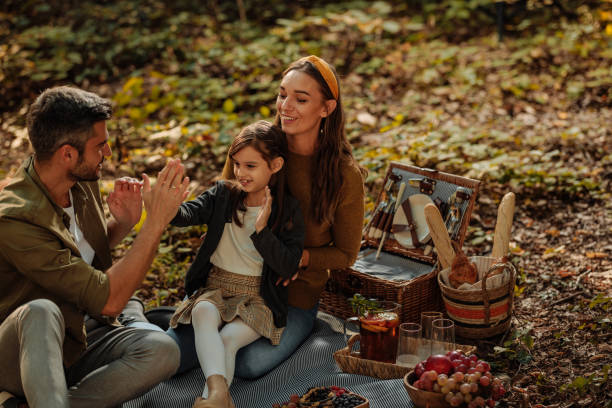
416,294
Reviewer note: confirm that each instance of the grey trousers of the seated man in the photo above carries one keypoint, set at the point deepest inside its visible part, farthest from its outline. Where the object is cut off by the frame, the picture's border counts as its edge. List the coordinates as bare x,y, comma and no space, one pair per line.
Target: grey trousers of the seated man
119,366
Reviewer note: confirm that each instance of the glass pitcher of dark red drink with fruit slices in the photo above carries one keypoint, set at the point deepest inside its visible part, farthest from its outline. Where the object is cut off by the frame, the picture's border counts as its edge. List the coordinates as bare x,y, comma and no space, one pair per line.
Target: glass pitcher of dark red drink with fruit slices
379,332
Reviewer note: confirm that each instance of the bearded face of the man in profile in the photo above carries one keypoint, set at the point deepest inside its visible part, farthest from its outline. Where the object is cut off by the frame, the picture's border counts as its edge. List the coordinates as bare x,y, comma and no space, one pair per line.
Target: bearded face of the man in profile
89,165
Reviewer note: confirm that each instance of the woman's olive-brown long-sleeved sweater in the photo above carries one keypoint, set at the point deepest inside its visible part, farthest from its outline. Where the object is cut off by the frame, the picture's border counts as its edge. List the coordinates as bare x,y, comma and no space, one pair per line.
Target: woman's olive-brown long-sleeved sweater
331,245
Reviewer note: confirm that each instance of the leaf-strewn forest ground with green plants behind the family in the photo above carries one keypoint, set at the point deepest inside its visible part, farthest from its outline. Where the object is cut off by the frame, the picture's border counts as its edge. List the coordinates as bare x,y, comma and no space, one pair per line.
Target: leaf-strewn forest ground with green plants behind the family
530,114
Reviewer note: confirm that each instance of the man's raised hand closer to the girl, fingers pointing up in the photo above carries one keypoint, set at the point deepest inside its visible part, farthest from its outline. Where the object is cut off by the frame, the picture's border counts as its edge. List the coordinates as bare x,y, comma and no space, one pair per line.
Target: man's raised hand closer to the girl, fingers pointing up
163,199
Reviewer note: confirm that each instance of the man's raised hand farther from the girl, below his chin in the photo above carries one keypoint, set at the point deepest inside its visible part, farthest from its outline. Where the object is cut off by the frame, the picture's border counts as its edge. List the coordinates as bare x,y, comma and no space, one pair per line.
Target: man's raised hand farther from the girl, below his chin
125,201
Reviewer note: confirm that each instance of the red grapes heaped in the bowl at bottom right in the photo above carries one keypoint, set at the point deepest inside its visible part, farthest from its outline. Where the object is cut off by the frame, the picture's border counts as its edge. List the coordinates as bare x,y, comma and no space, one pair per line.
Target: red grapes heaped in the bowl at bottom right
469,384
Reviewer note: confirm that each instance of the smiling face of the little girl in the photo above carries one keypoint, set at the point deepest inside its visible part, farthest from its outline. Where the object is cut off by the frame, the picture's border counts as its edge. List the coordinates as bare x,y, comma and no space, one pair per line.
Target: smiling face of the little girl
253,172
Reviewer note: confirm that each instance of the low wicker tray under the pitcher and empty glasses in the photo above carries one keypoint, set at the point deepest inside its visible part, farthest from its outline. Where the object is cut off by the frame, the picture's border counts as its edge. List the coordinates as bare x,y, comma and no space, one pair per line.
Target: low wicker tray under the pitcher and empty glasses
355,365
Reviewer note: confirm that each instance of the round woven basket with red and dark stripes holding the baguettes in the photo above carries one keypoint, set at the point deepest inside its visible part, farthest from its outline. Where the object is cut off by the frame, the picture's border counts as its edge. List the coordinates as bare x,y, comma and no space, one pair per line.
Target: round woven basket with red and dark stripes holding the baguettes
484,312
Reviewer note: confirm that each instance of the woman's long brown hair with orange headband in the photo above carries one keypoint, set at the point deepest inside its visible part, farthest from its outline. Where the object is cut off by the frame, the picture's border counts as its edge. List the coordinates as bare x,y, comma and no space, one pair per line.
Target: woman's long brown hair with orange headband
334,148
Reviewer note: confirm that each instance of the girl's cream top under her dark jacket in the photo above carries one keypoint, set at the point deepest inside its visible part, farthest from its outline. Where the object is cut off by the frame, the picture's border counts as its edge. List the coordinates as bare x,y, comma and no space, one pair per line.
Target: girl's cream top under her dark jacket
236,252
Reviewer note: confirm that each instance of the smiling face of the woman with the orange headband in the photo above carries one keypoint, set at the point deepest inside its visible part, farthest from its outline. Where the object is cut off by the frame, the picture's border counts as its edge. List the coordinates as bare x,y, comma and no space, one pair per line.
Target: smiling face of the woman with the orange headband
300,104
